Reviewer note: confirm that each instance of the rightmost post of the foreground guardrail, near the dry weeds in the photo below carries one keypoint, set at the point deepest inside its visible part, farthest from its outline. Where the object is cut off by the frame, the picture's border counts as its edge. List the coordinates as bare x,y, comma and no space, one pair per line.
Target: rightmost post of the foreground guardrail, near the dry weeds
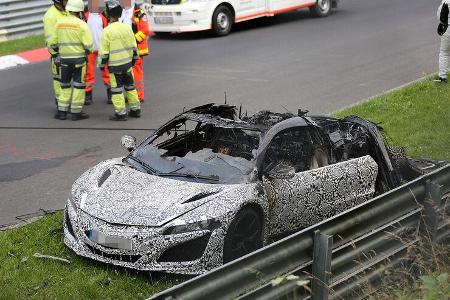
433,199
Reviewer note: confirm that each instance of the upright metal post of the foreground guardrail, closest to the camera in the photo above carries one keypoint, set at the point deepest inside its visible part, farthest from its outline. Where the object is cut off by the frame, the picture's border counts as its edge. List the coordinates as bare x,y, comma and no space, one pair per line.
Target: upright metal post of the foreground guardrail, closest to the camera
321,266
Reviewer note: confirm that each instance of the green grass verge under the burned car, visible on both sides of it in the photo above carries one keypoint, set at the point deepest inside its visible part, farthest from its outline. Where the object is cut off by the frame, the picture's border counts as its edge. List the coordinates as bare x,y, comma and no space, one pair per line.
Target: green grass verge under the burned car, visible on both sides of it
417,117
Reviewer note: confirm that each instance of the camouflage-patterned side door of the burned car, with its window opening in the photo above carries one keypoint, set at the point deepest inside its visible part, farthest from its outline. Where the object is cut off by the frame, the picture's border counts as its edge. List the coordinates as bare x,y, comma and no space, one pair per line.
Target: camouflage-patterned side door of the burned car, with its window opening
312,192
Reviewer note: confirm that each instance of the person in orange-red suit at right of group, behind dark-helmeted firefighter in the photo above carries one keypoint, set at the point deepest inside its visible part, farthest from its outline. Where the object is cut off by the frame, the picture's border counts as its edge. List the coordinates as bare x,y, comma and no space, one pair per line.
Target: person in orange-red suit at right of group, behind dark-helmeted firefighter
141,32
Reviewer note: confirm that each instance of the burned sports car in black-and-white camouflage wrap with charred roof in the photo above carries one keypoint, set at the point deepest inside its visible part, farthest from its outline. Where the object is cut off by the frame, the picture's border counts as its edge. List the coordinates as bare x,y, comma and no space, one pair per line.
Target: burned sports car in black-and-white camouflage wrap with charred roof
212,185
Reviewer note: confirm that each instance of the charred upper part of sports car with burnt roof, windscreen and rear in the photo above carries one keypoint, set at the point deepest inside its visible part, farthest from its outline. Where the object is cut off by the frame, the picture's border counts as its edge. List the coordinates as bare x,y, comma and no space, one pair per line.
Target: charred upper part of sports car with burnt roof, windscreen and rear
208,134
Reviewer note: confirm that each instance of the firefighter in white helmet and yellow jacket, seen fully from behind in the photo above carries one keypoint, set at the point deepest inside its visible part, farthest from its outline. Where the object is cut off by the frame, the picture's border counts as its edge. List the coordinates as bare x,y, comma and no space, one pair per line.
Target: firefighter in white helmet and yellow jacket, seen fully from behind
72,43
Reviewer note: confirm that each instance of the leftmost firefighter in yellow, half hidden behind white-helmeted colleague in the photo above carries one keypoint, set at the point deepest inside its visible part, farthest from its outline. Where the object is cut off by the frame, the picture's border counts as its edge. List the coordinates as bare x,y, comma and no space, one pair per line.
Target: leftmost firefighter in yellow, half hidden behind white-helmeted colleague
50,18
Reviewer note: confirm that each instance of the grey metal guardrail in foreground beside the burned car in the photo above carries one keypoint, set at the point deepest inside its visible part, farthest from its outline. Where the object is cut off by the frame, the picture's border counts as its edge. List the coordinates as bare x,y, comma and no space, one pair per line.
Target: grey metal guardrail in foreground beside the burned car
339,257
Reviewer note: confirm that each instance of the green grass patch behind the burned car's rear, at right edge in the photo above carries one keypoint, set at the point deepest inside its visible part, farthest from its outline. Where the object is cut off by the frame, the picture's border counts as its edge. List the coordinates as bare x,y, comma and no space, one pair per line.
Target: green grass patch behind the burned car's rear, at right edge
416,117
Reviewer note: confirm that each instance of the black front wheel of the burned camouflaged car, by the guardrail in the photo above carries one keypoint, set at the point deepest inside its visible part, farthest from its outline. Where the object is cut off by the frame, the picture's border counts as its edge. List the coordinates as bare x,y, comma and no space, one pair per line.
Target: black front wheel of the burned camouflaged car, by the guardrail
244,234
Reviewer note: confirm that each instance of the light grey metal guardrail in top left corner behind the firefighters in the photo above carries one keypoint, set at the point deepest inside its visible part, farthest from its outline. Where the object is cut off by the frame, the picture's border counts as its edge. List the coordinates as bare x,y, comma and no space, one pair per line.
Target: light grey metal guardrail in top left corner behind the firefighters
19,18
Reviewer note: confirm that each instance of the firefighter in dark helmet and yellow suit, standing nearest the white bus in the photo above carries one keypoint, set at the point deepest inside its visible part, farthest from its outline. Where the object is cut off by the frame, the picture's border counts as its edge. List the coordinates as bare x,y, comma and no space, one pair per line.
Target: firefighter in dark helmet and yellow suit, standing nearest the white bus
119,51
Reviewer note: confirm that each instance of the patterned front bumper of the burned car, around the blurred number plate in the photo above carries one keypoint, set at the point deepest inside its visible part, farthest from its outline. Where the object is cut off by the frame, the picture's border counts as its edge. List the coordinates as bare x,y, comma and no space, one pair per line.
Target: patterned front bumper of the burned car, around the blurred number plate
187,253
